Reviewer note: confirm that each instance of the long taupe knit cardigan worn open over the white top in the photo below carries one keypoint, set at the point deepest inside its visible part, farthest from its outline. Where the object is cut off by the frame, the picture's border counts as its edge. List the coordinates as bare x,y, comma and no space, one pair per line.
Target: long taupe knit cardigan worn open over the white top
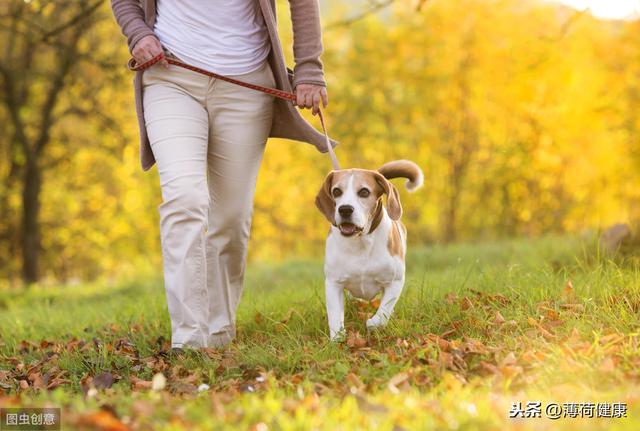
136,18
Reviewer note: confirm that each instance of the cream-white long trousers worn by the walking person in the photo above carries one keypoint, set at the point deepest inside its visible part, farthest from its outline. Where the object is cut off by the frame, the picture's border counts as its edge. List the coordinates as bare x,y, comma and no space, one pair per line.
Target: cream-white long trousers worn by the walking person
208,138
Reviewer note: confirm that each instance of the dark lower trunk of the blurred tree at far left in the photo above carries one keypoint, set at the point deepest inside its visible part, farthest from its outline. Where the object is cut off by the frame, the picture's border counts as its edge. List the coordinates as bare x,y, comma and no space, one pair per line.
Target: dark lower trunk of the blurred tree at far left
30,227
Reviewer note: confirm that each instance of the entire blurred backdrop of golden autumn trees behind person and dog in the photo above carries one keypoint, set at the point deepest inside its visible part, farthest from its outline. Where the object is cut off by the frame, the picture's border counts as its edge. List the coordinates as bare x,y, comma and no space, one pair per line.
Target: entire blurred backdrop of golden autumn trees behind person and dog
523,115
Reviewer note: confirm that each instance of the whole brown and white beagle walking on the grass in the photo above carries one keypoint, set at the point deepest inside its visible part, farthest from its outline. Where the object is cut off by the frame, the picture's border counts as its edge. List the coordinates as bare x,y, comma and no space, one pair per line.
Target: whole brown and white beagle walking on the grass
367,242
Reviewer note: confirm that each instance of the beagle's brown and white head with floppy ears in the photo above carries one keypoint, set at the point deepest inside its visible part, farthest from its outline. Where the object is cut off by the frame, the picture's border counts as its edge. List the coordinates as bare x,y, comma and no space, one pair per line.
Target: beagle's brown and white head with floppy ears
352,198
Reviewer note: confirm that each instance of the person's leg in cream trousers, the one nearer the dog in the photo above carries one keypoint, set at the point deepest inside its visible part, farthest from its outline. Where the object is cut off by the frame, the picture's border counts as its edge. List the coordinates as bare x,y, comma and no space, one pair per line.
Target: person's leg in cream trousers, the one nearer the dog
240,120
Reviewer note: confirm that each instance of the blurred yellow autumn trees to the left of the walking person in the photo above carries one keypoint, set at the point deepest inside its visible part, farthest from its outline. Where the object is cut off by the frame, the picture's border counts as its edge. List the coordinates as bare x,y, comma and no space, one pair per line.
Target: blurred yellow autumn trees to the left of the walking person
64,110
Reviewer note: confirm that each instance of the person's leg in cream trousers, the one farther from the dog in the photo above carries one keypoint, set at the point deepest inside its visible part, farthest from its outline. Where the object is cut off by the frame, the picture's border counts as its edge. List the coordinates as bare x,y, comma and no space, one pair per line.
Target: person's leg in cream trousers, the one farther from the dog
177,124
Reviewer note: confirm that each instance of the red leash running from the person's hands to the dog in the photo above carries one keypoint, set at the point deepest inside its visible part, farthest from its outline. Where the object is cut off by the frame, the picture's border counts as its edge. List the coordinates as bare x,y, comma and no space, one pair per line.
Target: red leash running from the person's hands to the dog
133,66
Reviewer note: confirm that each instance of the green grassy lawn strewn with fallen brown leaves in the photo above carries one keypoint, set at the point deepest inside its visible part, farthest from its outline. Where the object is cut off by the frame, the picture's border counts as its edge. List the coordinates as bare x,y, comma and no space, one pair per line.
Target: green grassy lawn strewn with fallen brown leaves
478,328
